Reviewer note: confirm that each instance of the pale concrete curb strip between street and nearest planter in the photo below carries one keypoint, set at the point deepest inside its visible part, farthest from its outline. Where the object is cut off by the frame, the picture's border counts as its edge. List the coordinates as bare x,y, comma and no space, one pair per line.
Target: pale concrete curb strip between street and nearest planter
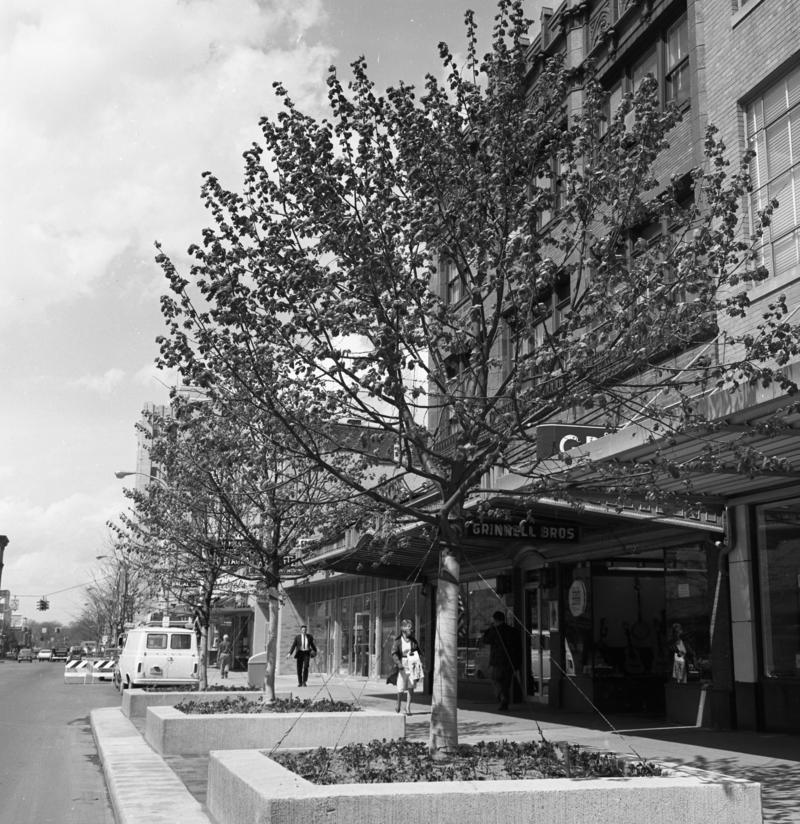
141,786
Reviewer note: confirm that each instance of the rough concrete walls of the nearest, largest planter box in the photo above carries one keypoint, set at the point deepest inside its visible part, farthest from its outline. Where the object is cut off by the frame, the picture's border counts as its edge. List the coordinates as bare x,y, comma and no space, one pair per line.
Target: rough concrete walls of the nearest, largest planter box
245,786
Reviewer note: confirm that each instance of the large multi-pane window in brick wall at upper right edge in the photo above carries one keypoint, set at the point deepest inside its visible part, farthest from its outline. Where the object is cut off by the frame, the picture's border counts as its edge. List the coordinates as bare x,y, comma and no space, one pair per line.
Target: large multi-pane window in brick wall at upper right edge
773,129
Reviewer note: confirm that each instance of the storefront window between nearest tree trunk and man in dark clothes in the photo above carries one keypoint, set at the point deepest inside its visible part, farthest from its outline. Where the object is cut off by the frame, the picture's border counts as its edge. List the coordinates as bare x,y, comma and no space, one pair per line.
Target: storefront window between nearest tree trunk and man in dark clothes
477,601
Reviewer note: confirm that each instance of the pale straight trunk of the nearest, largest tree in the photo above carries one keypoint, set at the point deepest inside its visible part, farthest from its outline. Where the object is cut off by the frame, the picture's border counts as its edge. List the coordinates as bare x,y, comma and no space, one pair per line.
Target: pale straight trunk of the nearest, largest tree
444,704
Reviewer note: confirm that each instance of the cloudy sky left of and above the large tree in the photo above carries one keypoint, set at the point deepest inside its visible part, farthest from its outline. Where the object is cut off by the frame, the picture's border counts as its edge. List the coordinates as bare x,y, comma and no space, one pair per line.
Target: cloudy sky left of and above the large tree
109,114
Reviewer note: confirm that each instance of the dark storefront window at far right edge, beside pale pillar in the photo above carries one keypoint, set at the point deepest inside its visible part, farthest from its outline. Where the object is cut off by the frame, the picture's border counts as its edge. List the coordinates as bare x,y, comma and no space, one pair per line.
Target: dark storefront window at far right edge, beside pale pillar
779,574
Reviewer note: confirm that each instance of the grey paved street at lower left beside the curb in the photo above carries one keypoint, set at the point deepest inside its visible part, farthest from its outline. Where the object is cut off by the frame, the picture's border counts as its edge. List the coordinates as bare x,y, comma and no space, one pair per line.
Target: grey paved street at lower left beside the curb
50,770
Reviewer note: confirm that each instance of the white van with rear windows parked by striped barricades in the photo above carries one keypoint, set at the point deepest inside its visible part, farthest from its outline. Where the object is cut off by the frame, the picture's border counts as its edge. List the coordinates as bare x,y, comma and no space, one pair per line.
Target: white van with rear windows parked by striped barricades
158,654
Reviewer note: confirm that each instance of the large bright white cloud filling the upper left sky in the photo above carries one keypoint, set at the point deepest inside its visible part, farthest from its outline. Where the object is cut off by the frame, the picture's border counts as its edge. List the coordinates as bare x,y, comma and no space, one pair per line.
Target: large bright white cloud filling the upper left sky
110,113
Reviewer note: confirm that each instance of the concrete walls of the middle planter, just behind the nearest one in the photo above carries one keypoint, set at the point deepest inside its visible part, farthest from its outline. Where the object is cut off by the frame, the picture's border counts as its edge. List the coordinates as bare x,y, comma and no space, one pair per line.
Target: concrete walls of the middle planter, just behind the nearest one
172,732
